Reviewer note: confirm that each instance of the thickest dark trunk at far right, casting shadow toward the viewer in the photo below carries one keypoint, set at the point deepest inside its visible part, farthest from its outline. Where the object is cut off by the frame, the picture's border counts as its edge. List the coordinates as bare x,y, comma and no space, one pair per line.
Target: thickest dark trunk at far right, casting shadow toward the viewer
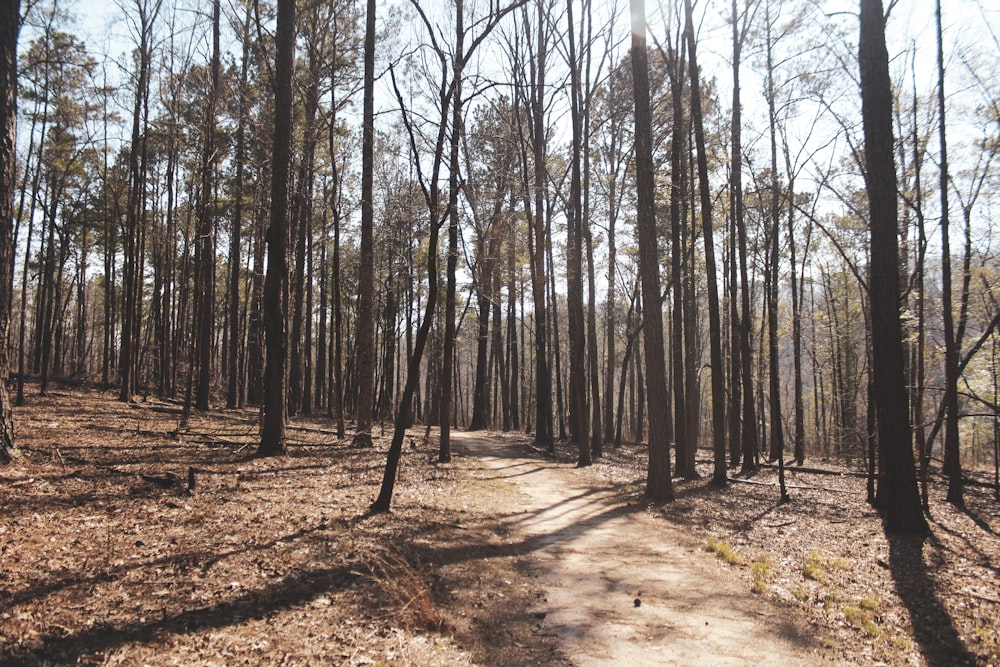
897,498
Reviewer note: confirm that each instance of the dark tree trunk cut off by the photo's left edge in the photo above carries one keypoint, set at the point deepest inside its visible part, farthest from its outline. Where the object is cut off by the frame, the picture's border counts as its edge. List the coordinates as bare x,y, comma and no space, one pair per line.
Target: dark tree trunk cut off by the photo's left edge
10,23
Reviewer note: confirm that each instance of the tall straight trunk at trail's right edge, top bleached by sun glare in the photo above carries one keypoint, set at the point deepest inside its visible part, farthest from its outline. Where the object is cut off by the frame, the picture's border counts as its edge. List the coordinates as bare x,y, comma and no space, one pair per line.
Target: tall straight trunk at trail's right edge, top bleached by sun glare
658,483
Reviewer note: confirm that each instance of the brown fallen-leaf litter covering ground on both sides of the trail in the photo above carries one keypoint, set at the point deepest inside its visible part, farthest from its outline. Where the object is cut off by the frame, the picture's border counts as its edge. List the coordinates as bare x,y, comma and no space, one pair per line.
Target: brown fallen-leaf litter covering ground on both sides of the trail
109,557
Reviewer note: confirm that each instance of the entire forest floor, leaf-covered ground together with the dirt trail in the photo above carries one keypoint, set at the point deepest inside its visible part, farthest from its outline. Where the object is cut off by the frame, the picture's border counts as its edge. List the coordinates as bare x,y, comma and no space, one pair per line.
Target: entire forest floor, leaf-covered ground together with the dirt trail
502,557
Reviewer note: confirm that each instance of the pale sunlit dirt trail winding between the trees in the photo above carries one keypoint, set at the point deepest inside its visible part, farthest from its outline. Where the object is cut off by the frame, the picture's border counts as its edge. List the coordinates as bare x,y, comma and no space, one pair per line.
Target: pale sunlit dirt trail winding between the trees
595,556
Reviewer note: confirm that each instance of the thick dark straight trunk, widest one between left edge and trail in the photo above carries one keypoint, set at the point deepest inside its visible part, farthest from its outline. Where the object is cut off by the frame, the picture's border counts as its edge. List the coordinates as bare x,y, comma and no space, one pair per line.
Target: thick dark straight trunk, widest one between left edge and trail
275,300
